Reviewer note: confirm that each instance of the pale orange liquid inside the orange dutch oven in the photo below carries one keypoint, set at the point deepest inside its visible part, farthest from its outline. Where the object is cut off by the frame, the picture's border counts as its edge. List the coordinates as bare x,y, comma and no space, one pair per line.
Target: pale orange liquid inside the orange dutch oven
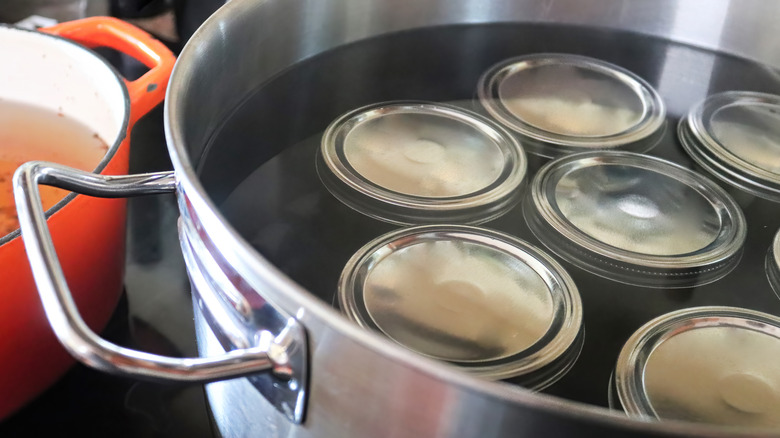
30,133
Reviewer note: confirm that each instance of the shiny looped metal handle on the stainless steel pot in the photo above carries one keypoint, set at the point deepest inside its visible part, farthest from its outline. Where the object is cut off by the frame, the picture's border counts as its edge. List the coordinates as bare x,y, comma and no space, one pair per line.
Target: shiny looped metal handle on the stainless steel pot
271,356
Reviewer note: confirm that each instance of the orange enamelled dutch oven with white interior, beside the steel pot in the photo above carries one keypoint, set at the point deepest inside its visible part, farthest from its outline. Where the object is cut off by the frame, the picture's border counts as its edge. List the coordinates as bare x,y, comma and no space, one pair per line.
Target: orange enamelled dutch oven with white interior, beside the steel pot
52,68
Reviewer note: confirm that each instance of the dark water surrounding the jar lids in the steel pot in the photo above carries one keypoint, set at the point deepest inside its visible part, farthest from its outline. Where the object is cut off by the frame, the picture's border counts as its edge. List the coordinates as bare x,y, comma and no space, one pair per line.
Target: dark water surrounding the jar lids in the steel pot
260,165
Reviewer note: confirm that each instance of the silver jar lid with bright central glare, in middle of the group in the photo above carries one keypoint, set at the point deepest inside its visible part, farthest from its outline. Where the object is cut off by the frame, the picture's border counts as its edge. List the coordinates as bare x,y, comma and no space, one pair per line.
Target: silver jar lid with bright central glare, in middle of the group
636,219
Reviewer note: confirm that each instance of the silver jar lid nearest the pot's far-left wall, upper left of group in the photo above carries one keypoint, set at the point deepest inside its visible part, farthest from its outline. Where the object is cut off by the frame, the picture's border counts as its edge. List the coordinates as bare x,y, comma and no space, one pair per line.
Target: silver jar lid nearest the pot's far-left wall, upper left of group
417,162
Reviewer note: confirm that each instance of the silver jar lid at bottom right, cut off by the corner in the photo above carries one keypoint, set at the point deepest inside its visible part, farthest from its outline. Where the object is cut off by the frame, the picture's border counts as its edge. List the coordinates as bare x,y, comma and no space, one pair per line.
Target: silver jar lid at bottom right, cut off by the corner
704,364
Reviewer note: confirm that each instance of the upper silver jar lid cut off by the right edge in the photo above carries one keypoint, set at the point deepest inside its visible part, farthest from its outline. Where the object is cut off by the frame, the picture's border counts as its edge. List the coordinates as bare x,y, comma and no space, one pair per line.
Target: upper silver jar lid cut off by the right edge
736,137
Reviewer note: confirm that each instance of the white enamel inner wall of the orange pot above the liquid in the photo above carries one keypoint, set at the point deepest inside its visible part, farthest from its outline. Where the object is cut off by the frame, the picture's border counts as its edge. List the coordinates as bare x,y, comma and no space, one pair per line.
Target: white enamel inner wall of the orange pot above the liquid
52,73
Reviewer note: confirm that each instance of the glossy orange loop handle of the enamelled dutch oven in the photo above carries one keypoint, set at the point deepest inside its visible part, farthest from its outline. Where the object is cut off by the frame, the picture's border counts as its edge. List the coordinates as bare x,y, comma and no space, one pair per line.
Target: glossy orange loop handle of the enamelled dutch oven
145,92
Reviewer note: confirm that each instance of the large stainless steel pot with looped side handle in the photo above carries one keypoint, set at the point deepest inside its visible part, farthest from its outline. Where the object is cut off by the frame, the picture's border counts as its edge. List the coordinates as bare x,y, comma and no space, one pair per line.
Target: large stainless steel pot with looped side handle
309,372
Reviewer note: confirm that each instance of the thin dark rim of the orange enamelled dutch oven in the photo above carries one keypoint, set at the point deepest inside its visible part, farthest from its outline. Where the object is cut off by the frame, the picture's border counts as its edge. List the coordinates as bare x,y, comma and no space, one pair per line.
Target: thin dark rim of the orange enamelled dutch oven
112,149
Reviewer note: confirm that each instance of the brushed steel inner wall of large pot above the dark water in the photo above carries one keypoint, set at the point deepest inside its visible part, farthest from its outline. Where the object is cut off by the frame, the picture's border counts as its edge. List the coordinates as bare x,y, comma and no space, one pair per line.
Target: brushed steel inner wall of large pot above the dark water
248,43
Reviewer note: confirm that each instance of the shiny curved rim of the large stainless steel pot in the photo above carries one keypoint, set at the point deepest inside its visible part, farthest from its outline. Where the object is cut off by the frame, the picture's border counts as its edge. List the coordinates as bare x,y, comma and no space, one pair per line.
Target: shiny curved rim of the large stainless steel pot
250,263
